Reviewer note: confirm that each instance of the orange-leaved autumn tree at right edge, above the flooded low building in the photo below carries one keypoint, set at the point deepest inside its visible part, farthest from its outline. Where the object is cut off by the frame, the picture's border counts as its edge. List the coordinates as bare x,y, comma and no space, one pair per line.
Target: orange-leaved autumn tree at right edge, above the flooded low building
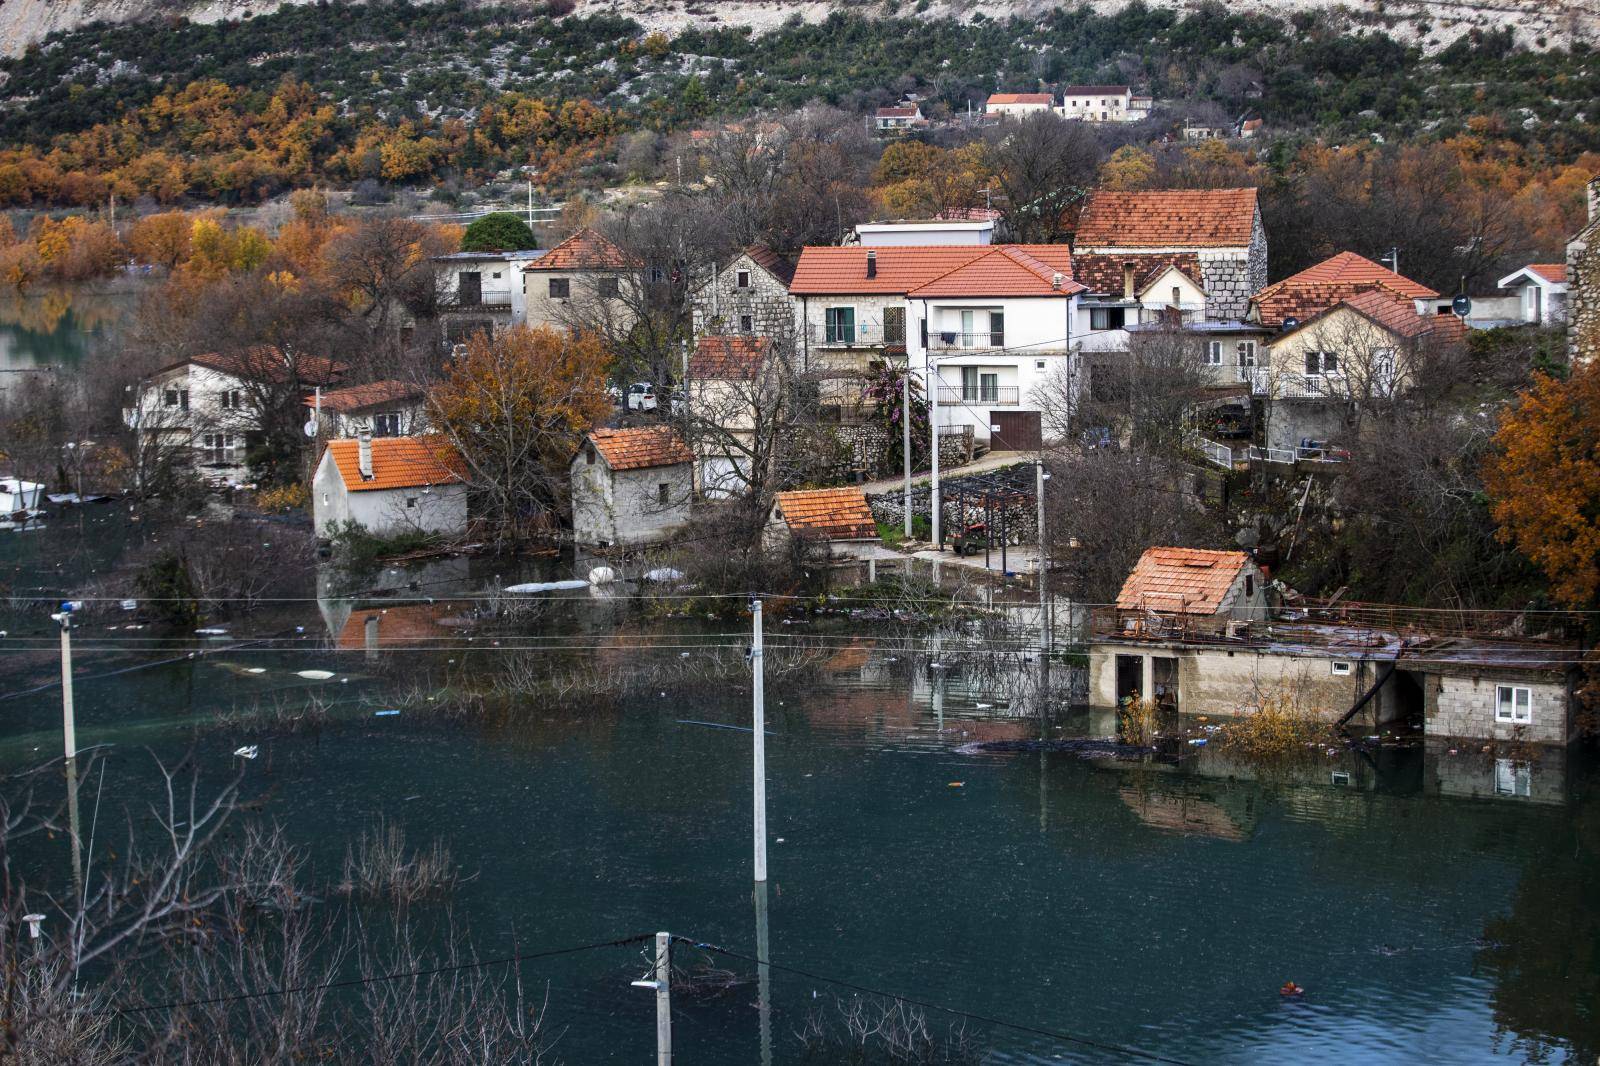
1545,483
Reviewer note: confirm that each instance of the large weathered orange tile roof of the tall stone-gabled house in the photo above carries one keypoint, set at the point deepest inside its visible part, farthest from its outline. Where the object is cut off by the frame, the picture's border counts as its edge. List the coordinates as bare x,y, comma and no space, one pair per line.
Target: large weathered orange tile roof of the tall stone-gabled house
1167,218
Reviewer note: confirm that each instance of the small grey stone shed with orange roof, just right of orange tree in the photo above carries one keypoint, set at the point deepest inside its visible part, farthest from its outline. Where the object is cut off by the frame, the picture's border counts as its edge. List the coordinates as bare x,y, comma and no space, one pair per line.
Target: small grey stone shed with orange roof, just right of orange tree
631,487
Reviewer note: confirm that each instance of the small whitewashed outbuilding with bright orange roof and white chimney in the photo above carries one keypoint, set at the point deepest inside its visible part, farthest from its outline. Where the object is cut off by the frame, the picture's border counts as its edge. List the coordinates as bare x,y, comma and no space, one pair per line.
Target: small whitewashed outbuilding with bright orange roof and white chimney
390,486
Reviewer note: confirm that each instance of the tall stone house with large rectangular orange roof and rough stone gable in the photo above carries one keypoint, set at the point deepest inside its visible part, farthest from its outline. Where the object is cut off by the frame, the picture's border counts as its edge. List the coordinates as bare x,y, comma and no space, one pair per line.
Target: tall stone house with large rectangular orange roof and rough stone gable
1222,228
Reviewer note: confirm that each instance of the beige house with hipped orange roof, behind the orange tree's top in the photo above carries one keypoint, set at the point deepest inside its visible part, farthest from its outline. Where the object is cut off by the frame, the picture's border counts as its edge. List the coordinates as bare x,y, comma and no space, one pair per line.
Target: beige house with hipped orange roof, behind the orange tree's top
583,281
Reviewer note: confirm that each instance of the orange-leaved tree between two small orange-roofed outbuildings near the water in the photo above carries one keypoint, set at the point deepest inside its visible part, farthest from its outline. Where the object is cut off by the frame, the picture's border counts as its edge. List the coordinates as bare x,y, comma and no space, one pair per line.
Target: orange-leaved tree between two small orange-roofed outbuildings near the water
516,404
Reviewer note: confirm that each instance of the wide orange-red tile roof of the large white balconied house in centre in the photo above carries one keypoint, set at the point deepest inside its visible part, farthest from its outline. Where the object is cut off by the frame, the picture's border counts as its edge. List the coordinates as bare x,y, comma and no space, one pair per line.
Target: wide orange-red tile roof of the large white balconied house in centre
906,270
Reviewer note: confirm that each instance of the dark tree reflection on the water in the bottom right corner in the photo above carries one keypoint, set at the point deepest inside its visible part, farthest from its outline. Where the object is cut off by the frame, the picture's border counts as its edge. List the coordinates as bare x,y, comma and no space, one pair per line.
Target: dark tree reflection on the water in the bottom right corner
1545,953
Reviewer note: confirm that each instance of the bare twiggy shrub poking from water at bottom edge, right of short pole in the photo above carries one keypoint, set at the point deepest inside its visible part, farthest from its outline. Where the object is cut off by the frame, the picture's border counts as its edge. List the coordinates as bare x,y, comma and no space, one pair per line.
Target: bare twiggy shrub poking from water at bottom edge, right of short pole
874,1030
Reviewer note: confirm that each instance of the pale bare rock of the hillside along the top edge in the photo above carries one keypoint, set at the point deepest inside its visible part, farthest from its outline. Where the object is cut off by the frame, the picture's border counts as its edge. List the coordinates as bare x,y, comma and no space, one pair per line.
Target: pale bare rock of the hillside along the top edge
1430,23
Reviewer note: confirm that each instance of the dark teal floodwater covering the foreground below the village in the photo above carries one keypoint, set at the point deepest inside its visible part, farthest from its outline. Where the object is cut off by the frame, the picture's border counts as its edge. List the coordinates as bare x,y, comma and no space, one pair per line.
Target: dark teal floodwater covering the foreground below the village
1089,902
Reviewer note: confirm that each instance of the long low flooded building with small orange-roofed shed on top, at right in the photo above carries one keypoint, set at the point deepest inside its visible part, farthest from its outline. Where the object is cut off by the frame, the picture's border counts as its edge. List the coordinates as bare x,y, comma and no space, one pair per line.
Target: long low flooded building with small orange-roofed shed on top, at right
1193,639
